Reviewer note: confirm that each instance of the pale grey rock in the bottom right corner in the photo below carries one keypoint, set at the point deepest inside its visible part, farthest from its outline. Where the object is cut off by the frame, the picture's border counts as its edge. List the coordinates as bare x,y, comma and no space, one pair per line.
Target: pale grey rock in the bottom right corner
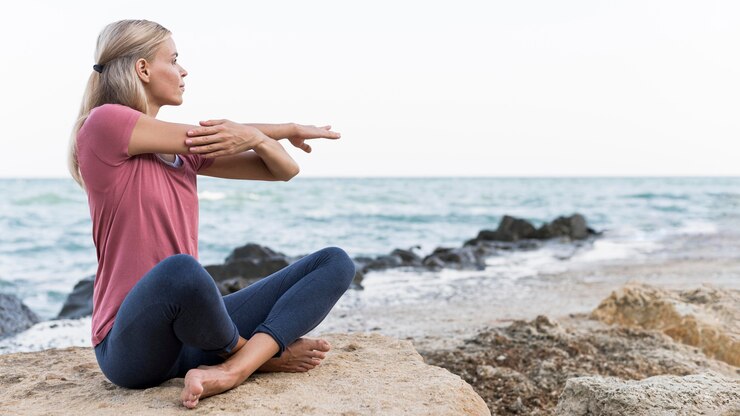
655,396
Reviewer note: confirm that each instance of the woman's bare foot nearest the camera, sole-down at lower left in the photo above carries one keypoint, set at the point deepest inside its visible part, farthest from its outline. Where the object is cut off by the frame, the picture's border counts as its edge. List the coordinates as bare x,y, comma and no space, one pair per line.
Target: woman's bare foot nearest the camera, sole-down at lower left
206,381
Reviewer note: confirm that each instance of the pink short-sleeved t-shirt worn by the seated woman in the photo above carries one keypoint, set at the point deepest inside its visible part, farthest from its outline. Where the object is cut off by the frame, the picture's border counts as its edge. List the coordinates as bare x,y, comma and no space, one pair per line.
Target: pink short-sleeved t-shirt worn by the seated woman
142,209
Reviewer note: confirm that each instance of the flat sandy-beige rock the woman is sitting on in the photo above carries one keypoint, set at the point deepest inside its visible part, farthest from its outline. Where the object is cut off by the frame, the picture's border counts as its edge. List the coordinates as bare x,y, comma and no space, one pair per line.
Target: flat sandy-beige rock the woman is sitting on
365,374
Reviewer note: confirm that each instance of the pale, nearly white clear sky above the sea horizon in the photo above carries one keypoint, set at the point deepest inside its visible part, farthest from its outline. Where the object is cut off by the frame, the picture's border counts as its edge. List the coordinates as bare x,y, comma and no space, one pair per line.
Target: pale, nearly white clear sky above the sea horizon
464,88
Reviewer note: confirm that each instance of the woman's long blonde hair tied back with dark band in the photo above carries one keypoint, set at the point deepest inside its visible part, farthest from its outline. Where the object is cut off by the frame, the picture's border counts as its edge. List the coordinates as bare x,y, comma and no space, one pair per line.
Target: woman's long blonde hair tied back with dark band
119,46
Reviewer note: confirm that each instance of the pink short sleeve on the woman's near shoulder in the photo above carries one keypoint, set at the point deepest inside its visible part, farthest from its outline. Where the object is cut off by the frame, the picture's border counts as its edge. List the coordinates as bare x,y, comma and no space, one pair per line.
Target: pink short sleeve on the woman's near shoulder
107,131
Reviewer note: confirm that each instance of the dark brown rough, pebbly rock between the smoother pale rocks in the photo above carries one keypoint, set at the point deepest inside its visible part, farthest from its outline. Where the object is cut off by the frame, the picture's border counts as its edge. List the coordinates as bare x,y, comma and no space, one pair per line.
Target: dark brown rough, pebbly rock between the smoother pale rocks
525,365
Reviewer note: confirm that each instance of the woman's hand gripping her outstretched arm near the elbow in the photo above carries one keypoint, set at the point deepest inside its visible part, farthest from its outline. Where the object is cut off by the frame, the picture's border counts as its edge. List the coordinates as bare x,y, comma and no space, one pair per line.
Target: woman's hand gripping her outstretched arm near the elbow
223,137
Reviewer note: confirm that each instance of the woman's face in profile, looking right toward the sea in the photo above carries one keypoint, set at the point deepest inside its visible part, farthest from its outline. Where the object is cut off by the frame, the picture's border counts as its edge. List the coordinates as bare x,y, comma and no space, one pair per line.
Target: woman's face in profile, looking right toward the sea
166,84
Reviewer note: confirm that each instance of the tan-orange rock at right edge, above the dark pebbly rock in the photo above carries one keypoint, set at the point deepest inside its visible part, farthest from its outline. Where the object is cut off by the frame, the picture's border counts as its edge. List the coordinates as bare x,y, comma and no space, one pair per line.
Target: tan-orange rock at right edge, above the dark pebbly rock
707,318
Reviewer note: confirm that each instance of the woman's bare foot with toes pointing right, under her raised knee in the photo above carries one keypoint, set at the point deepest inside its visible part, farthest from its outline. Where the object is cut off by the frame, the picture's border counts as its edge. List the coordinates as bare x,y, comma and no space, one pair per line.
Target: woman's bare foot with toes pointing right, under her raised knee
298,357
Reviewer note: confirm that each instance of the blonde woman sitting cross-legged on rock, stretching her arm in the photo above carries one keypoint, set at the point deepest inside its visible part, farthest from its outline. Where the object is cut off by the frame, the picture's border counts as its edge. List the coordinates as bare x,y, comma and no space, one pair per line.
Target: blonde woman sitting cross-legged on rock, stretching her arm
157,313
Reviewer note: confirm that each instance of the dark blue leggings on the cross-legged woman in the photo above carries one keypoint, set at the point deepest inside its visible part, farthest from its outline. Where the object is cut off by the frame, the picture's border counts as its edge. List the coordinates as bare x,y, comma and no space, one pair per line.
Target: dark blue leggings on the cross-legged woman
175,319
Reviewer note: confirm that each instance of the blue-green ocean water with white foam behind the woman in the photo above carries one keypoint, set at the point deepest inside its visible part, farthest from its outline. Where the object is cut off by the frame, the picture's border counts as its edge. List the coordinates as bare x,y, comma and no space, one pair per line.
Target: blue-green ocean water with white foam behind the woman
46,244
